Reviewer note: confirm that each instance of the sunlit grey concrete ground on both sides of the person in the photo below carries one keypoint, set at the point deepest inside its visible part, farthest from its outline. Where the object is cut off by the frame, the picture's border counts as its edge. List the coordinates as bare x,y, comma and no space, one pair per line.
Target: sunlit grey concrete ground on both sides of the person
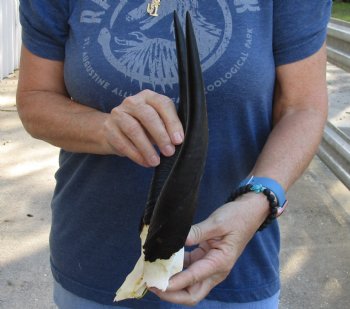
315,230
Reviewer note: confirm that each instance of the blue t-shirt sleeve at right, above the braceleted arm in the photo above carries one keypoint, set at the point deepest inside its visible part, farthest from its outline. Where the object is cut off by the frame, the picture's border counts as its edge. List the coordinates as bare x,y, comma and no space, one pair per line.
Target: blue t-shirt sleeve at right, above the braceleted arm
300,28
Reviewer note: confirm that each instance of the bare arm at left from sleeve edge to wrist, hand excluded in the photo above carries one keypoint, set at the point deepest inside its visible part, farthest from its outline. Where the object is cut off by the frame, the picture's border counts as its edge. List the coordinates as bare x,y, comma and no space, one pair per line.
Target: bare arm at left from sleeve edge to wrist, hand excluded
48,113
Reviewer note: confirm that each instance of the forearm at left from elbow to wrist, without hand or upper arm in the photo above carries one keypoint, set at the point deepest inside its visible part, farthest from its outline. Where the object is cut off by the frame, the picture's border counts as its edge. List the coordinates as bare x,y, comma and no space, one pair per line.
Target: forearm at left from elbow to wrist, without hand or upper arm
56,119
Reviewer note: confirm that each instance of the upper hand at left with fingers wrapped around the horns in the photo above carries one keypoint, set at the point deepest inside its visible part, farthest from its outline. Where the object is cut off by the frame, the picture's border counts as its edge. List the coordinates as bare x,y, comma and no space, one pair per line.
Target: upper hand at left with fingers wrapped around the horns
140,121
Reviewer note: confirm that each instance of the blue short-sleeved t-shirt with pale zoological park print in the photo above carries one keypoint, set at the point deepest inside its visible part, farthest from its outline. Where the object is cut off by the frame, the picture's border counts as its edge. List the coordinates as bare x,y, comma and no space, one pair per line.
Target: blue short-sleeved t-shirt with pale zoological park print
114,49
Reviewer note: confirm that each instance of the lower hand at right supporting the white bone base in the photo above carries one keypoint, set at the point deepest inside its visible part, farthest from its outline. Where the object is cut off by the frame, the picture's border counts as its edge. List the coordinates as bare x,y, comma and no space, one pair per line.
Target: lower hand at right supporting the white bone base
221,239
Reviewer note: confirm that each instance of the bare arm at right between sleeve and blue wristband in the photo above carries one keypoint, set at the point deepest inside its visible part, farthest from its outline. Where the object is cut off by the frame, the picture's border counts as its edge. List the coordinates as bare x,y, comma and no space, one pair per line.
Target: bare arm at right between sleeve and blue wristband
300,113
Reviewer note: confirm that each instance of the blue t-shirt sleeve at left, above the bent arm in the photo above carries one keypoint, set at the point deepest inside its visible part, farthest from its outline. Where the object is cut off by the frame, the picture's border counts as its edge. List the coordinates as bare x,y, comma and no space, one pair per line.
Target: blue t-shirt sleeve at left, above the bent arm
45,27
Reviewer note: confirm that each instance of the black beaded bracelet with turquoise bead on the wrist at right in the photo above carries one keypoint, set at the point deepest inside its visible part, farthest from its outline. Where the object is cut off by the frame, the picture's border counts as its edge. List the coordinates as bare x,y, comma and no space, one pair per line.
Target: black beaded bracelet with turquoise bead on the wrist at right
259,189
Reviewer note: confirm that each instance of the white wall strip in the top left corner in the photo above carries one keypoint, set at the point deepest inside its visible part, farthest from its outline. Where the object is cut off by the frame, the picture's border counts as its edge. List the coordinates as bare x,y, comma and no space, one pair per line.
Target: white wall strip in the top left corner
10,37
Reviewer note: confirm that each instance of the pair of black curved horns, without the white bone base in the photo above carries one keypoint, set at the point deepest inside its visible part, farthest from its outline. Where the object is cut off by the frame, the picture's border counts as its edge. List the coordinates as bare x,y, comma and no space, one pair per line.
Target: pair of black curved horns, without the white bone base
174,189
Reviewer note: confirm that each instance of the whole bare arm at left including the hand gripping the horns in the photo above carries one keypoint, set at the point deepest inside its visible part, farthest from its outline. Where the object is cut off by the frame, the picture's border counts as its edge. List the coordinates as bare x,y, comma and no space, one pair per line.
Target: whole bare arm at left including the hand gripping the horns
131,129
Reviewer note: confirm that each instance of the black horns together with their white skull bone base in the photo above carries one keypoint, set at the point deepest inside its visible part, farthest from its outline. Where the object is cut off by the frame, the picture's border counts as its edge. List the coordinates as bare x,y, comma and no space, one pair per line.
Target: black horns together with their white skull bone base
172,198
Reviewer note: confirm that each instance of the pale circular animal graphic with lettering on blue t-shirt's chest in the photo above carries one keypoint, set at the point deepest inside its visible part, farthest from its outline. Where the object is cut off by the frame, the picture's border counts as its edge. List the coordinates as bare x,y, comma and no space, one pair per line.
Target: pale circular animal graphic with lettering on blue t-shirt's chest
142,47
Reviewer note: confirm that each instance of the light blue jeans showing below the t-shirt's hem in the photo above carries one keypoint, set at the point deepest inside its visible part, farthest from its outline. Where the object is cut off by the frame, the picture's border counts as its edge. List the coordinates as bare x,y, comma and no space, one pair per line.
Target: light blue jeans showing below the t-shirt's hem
66,300
